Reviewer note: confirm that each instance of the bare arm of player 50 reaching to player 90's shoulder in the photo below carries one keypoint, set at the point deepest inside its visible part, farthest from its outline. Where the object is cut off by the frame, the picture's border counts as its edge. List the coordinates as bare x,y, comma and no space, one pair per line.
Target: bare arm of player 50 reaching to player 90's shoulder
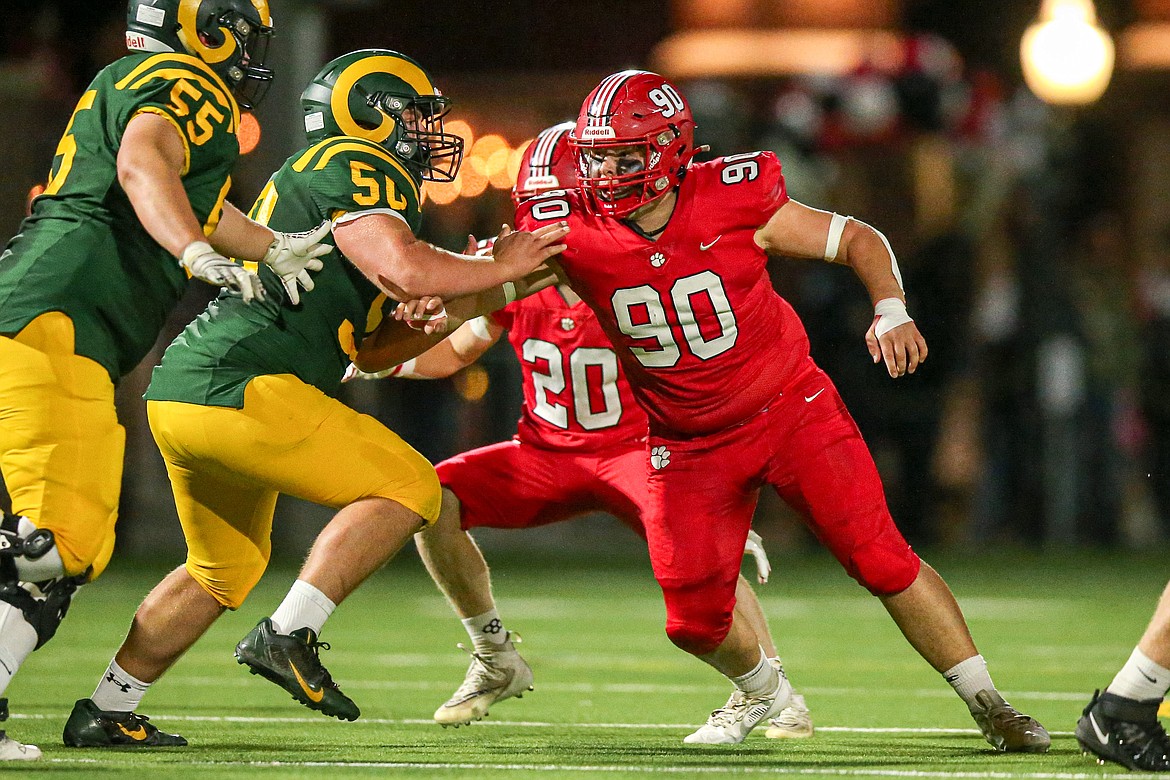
390,256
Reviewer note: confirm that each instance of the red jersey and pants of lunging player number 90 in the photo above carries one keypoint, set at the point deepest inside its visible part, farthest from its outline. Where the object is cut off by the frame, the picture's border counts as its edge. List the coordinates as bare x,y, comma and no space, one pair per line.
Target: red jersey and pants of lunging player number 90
721,364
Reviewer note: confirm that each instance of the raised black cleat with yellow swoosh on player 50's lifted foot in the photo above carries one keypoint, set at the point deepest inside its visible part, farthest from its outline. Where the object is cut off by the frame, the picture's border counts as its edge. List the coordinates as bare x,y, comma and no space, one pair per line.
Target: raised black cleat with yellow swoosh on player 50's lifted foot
293,662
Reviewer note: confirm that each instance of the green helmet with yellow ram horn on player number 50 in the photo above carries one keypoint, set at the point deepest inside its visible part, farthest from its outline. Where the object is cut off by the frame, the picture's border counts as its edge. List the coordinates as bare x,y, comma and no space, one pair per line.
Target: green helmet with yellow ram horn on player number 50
389,99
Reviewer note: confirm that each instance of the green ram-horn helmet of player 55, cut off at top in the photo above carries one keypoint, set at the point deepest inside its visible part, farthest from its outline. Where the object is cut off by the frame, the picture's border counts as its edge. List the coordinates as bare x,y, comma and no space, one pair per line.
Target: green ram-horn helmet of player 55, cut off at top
230,36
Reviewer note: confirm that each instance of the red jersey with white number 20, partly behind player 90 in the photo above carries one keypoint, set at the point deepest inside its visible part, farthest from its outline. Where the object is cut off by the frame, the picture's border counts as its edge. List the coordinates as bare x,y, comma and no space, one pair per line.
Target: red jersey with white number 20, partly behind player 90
576,397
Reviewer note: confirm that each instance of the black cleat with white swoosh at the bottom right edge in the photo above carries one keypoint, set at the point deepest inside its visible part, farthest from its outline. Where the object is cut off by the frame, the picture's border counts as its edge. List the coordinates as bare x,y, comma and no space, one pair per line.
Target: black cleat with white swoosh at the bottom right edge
1125,731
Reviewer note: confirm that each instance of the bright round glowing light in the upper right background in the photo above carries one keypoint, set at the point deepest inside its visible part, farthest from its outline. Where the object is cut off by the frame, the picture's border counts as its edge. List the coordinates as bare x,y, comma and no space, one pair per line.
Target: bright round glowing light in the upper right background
1068,57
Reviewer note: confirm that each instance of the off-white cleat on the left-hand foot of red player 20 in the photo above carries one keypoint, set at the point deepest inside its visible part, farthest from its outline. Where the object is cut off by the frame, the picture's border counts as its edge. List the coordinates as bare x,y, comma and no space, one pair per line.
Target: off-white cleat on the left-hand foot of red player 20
492,678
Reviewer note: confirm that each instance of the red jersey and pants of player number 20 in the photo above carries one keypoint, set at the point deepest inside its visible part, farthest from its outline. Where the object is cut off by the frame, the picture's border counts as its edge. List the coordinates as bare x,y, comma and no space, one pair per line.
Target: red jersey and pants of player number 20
581,443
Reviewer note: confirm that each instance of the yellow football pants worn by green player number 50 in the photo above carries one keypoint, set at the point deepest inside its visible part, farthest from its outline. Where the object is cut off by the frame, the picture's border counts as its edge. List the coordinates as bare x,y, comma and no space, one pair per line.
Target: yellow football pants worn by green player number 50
228,466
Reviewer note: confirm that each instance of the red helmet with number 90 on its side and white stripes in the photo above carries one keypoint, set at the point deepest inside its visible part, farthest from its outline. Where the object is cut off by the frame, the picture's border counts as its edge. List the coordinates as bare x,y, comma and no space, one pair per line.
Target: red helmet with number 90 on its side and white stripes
641,112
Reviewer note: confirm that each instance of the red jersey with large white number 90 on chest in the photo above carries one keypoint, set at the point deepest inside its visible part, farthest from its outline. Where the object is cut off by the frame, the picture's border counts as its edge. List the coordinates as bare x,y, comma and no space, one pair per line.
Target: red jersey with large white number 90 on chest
704,337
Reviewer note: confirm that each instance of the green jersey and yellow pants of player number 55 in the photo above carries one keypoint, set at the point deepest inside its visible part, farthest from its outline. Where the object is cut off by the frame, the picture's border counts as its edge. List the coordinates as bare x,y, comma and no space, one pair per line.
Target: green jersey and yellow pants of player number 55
85,292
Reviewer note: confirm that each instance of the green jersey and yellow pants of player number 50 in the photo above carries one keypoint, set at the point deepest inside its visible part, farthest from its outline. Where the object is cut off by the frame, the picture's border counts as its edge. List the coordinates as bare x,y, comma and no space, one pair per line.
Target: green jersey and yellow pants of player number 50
243,405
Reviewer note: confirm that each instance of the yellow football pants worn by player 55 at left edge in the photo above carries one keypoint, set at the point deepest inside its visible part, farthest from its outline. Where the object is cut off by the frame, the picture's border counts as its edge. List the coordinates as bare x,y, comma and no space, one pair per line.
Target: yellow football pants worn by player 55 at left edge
61,446
